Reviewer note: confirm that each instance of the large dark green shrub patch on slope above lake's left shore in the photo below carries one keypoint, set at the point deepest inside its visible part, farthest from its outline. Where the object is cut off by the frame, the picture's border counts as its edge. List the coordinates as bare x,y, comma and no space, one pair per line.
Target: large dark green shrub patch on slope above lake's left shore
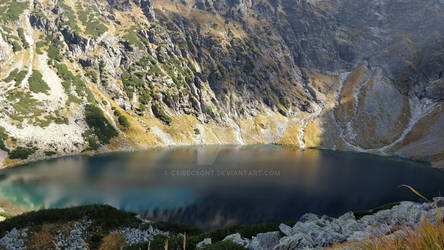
98,124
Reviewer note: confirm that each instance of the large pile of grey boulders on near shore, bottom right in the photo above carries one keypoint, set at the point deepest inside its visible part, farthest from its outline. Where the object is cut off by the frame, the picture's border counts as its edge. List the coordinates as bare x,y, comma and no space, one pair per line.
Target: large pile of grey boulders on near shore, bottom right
312,231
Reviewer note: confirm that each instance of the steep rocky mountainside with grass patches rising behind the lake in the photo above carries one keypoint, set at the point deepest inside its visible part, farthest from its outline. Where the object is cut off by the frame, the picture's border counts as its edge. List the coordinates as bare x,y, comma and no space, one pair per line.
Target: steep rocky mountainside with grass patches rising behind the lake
95,76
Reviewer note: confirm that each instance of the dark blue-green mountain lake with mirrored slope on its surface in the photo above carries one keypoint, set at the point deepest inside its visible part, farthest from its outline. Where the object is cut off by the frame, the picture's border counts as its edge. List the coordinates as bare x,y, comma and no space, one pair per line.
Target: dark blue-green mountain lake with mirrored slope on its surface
215,186
